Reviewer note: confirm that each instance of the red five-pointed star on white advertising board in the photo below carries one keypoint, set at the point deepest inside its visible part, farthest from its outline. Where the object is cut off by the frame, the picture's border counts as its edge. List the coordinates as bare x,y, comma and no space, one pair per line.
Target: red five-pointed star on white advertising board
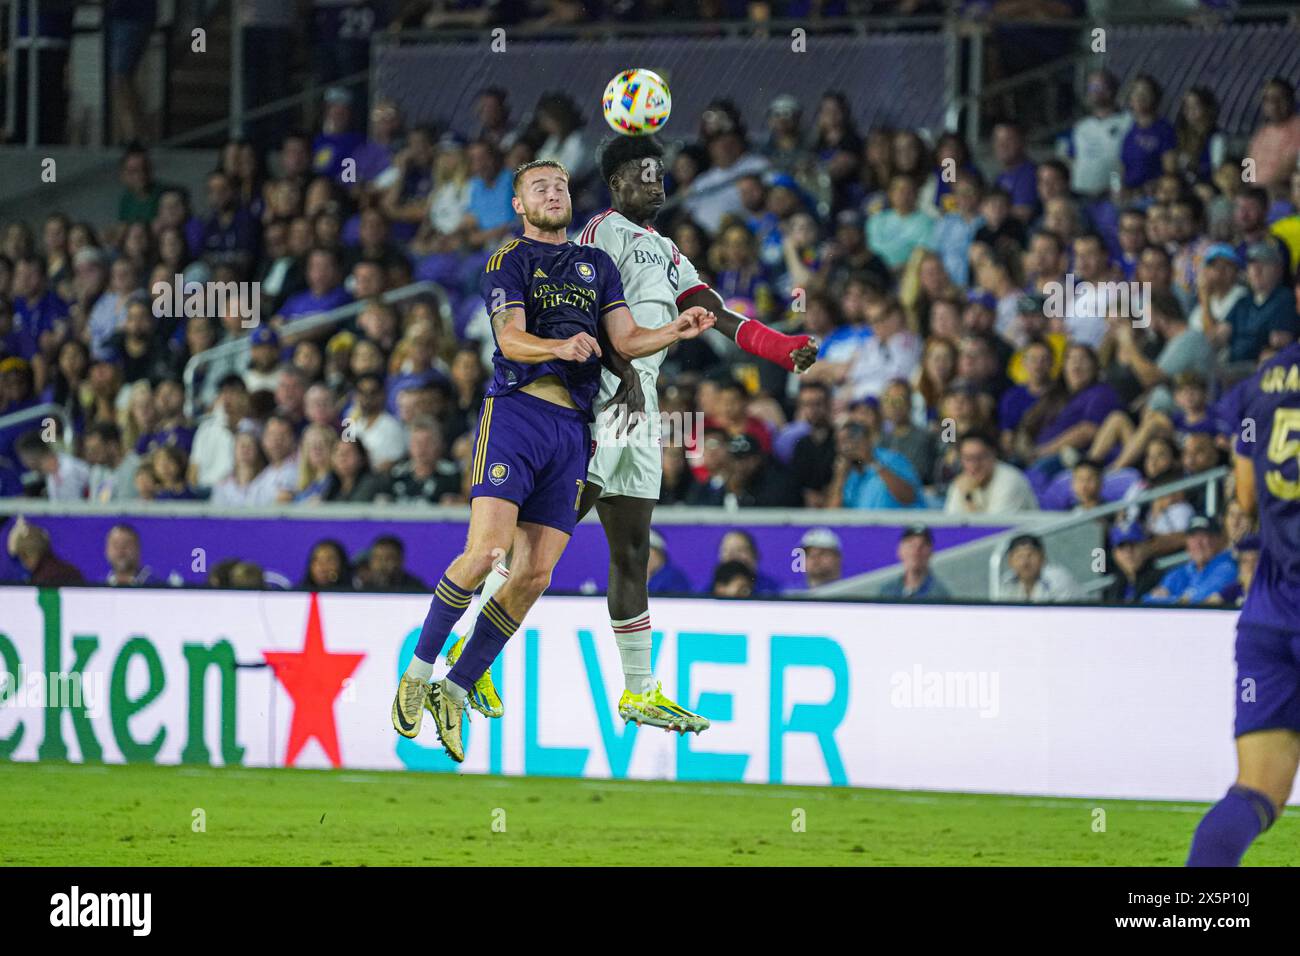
314,678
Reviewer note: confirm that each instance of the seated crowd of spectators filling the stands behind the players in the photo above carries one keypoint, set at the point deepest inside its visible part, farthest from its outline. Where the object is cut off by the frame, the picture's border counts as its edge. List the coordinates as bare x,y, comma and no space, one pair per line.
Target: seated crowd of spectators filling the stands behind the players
995,339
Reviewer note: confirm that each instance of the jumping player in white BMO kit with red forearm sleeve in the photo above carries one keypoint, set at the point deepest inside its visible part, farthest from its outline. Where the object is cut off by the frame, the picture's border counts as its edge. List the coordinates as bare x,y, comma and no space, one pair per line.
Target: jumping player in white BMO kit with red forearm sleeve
625,474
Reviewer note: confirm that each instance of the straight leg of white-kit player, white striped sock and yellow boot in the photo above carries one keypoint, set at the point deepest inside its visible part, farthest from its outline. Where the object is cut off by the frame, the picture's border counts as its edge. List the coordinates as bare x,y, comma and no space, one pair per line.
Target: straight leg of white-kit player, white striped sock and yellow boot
627,529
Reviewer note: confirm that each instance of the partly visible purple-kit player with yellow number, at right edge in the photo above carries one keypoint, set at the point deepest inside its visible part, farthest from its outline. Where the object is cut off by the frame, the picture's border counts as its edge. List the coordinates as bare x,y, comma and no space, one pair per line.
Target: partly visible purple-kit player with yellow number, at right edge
1268,633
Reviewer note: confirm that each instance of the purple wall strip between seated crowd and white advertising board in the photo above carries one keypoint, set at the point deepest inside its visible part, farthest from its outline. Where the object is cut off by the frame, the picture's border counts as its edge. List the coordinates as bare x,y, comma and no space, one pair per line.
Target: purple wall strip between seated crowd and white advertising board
183,544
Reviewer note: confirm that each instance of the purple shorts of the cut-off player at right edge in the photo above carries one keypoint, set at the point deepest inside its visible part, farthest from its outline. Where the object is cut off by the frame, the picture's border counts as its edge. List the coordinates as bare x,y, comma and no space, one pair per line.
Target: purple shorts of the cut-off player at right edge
1268,680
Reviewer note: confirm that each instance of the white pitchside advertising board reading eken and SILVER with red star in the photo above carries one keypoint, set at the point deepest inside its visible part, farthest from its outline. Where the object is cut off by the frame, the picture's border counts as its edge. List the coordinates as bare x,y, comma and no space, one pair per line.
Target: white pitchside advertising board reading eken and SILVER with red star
1069,702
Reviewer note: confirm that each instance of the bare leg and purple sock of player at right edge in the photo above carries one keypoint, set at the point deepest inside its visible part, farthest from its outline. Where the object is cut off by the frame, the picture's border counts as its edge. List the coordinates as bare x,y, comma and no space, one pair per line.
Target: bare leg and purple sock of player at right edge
1267,771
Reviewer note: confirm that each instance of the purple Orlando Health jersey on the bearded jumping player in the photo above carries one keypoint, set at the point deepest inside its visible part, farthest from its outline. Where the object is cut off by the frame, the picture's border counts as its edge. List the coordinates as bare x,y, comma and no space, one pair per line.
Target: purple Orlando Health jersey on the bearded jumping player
564,289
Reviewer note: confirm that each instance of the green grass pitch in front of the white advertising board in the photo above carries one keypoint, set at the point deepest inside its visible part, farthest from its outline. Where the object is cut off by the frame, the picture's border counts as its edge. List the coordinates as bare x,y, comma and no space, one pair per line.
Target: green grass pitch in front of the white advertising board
59,815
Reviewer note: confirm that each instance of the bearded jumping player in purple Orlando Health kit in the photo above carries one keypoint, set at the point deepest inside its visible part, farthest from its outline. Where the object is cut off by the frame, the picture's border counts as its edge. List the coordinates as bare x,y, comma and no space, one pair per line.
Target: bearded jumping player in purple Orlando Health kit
551,302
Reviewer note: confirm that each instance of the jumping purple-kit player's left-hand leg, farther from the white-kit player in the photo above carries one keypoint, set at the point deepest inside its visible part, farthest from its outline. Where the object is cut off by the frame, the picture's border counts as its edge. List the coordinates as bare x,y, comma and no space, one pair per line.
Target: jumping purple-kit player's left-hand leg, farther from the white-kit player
492,526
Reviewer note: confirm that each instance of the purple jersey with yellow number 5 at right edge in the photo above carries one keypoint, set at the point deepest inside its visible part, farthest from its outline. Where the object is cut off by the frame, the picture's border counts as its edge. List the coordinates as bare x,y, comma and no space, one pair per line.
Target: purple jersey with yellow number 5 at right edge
1272,403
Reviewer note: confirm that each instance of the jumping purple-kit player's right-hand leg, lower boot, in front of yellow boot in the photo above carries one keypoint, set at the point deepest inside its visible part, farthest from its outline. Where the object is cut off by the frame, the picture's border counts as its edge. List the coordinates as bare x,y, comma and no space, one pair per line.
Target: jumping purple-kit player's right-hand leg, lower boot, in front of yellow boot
538,548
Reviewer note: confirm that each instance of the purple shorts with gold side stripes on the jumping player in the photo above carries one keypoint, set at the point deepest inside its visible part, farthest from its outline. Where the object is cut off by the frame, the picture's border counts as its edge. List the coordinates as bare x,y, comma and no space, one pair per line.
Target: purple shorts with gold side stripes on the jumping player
534,453
